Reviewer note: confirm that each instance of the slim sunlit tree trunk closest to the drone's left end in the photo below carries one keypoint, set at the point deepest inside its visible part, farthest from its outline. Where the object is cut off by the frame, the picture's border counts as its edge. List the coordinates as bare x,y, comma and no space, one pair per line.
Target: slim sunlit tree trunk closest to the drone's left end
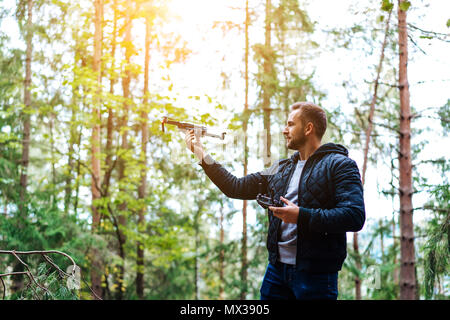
143,185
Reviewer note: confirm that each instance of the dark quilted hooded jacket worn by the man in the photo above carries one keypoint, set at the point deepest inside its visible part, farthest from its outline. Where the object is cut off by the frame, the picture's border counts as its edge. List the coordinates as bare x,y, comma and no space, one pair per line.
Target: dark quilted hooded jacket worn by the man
330,203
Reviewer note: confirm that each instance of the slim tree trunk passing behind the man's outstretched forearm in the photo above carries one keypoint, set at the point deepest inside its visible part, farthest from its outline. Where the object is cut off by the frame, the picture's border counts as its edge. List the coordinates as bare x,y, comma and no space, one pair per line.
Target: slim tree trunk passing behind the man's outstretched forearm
244,127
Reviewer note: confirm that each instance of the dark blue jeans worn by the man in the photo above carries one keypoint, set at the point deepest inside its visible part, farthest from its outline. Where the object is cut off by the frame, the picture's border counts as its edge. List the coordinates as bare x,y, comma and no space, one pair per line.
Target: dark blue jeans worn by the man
284,281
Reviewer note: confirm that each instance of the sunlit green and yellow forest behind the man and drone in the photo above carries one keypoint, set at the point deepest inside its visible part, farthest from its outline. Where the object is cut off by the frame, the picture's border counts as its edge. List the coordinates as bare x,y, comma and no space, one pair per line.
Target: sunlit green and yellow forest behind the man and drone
98,202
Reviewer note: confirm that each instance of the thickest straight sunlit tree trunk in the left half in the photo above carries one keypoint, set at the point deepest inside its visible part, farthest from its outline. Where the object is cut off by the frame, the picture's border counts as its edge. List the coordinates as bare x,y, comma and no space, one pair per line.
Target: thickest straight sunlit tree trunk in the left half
96,270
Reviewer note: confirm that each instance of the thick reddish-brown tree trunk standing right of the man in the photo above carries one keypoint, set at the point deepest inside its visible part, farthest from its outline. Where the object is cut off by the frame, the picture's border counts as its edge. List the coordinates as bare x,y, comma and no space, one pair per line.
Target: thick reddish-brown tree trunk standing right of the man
407,268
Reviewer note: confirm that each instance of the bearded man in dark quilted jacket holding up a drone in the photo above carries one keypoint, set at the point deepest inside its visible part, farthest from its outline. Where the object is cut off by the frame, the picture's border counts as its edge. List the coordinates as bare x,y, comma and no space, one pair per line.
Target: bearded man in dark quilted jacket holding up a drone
321,189
